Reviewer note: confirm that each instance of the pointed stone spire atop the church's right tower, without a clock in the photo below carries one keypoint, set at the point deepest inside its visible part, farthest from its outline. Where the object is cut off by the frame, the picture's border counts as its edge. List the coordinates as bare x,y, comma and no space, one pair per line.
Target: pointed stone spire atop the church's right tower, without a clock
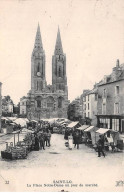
58,47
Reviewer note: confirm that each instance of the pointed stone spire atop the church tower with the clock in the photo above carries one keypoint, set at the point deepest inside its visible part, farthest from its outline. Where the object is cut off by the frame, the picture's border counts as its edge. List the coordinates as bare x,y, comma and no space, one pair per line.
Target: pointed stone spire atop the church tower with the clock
38,41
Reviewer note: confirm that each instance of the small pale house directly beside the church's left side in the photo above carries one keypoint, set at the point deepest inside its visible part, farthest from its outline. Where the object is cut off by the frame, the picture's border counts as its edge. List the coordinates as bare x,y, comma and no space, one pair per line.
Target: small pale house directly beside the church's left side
23,106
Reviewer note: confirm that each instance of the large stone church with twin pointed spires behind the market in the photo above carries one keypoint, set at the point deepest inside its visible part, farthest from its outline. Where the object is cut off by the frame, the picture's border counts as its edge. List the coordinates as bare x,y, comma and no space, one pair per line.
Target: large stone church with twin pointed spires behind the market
47,101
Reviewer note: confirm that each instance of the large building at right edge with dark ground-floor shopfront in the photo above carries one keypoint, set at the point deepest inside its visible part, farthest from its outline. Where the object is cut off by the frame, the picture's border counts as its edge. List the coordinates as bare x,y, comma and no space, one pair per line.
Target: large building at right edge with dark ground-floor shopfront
111,100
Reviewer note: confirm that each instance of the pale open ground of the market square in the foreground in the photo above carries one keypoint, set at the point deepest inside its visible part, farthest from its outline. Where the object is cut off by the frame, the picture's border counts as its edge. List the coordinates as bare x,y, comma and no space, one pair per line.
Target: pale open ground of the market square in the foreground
57,162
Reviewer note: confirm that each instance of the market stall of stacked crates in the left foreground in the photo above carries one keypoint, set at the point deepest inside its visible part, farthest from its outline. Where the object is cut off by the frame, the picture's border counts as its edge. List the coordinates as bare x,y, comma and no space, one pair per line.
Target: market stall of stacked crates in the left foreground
23,142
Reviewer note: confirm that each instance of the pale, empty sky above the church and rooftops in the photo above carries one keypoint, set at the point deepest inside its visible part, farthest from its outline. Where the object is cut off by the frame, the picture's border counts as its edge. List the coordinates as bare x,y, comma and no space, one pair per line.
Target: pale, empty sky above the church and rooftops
92,34
